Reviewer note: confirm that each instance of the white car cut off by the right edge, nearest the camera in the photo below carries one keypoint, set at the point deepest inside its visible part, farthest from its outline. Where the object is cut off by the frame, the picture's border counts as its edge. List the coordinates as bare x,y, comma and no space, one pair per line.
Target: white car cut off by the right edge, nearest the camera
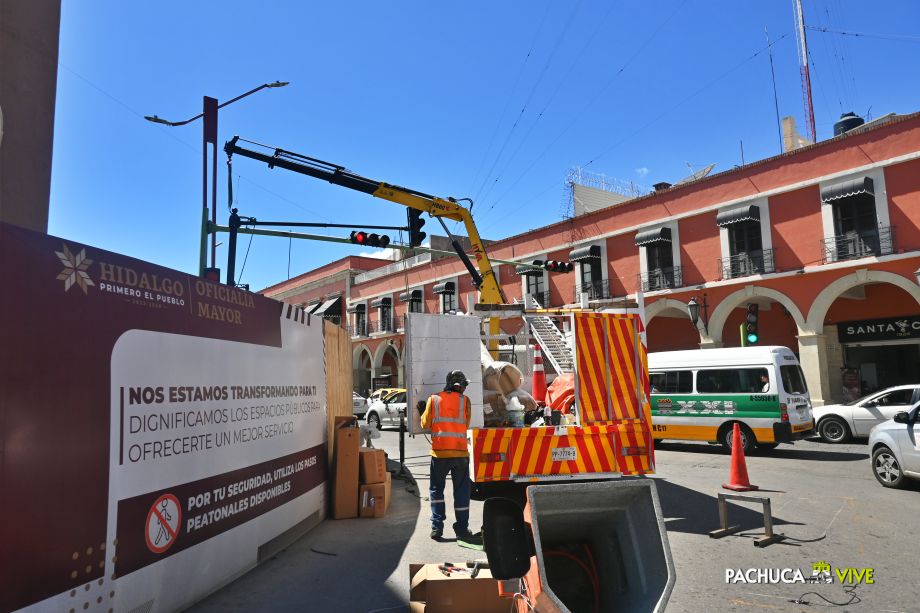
896,449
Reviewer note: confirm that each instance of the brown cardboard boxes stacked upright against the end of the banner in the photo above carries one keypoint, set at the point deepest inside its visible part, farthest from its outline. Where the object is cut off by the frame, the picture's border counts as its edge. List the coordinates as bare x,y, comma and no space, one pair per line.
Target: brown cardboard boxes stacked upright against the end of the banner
361,486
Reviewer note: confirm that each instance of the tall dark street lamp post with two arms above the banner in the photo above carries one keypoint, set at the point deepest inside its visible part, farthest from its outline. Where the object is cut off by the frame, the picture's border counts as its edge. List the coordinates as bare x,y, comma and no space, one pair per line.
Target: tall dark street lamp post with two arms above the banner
209,135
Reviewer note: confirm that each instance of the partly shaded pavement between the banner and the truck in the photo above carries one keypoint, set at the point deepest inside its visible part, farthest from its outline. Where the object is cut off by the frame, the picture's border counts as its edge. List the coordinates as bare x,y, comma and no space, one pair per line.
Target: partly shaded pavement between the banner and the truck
359,565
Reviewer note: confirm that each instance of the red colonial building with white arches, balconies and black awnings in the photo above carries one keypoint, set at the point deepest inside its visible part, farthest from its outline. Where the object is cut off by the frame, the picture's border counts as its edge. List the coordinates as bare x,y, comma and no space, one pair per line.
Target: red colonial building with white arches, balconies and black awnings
825,239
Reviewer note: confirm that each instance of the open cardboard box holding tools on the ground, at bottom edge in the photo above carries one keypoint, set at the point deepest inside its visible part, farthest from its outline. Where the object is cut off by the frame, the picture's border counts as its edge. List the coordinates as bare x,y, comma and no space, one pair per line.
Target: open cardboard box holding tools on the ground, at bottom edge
432,592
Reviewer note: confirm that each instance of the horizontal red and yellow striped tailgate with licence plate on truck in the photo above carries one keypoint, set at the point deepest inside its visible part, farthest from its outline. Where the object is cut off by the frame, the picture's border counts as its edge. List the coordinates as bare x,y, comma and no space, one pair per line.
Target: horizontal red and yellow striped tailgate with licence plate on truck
503,454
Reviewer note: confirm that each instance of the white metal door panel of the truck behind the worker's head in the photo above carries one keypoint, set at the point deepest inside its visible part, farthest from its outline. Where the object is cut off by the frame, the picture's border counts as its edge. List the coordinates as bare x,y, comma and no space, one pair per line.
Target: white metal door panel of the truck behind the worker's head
436,345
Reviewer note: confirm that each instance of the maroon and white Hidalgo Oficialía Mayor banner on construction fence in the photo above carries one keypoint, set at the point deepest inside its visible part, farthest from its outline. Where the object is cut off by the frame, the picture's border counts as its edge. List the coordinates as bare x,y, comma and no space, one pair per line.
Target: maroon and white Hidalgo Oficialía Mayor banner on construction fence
159,431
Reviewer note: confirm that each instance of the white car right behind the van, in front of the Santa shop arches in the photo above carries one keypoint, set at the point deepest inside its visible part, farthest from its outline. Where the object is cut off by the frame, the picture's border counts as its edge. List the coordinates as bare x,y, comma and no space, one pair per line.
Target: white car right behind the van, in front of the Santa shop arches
837,423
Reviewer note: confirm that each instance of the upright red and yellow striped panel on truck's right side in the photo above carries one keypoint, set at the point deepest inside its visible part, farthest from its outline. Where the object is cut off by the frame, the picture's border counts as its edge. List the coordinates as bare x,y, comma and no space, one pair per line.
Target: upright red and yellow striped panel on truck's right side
611,367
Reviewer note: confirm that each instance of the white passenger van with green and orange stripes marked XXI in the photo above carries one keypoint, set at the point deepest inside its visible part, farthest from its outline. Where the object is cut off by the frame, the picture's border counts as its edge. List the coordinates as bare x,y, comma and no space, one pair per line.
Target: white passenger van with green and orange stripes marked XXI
698,395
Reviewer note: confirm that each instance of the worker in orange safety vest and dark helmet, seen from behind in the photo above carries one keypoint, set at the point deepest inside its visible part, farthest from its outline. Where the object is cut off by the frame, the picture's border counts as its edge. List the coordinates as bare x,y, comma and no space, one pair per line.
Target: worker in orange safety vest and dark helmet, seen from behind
447,415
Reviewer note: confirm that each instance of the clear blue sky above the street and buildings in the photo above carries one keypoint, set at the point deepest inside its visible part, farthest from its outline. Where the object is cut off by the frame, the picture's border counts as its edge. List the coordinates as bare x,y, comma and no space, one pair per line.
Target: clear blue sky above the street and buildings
497,101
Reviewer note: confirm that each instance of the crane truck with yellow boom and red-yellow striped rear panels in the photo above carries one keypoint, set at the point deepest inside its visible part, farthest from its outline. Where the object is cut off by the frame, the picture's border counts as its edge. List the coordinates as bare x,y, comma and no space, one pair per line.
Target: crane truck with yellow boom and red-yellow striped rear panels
610,435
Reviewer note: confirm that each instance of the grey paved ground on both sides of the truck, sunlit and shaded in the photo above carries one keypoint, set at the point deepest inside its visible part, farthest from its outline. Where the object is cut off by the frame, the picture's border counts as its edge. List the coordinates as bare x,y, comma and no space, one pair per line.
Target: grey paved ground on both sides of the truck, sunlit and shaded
823,496
